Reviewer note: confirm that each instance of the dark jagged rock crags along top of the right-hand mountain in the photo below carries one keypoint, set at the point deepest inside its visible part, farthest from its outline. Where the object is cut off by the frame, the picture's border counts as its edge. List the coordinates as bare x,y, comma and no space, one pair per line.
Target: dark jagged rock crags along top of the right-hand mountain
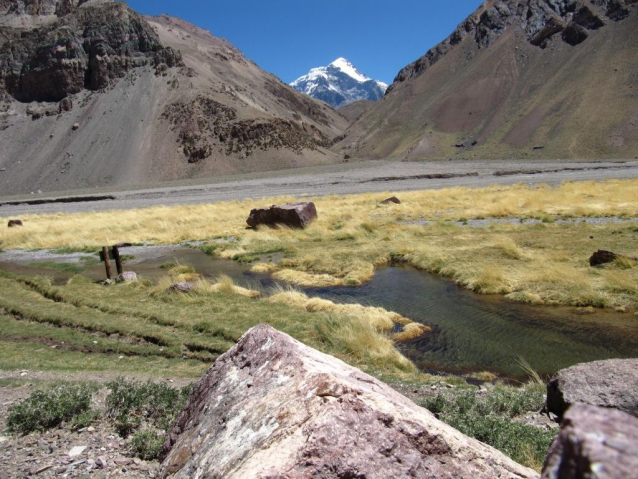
540,20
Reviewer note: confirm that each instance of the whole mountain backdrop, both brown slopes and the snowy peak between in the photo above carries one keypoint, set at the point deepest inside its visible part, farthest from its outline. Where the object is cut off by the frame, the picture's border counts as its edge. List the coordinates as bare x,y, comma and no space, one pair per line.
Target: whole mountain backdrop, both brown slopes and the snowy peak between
95,94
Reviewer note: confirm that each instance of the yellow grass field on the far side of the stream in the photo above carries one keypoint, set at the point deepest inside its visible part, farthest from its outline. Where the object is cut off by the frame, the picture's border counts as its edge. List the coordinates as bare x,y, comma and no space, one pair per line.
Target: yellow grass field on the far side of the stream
354,235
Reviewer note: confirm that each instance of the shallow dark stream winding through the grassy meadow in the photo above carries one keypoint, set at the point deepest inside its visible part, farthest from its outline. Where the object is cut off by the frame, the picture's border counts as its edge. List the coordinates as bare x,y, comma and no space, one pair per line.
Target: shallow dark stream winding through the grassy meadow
471,332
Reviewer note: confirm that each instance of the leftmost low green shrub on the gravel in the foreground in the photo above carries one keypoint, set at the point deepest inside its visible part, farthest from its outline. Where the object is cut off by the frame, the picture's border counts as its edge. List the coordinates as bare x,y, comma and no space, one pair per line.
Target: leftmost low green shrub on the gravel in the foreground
48,409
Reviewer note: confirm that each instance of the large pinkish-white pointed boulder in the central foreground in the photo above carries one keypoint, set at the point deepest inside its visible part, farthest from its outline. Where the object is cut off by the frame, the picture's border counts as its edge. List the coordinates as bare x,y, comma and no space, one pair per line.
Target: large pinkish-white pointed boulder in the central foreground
274,408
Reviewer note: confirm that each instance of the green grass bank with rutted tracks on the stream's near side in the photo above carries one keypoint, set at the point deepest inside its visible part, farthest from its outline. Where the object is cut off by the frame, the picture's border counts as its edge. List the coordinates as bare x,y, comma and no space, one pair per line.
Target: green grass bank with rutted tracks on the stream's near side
130,326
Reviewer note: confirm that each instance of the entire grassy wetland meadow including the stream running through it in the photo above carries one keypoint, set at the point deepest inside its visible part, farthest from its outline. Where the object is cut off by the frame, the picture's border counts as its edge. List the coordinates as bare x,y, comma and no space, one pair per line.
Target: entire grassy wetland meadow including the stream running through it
480,283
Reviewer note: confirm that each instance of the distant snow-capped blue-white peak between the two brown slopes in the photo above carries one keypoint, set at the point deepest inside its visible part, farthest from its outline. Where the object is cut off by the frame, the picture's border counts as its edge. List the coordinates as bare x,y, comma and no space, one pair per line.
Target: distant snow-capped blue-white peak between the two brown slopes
339,84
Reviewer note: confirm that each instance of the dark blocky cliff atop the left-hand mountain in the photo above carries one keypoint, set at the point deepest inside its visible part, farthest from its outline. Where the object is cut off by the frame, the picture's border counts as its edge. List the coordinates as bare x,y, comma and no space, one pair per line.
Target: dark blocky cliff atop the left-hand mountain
85,46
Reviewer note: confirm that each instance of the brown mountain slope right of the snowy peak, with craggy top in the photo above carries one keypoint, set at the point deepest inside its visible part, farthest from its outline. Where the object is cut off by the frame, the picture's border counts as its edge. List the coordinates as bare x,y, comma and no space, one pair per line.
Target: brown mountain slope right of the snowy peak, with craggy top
517,79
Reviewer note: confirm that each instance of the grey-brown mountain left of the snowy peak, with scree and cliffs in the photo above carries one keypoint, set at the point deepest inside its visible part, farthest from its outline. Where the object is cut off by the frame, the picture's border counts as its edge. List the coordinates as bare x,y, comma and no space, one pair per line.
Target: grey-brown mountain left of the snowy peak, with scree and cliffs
94,94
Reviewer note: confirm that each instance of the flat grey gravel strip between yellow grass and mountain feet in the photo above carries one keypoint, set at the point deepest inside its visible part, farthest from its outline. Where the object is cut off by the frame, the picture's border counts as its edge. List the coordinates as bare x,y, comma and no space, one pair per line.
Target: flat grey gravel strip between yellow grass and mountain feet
374,176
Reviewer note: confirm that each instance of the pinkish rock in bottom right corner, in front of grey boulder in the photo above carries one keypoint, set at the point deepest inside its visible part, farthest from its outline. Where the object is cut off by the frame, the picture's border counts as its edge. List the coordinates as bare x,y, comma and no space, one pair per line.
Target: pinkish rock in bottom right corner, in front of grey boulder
594,443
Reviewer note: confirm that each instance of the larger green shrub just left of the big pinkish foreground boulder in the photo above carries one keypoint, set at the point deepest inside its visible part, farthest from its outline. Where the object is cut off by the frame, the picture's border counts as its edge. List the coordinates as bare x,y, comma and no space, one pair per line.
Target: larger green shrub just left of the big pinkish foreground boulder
132,402
